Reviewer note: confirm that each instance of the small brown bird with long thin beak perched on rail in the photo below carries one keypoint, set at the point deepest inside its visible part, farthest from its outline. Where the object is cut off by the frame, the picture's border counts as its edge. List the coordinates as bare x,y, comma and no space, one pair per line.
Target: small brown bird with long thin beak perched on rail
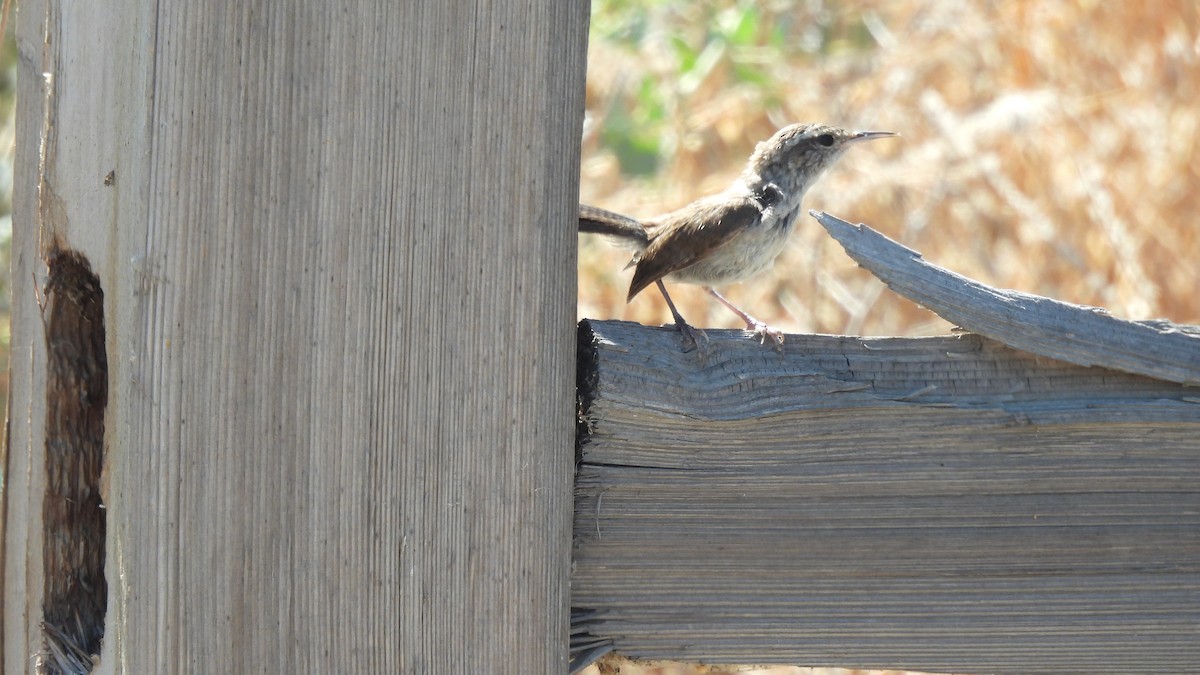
734,235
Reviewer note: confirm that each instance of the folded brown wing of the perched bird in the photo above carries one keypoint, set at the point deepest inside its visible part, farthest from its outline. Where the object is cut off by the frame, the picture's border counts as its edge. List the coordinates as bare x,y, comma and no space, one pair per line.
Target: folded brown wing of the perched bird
711,228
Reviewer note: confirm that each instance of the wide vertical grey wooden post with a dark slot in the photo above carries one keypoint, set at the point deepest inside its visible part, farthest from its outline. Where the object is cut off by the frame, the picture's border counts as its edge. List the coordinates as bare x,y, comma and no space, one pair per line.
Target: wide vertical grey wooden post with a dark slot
338,260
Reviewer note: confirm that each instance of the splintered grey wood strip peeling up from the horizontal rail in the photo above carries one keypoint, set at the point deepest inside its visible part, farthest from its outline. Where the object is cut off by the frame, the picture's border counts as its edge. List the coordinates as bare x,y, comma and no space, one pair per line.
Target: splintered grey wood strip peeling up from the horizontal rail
1042,326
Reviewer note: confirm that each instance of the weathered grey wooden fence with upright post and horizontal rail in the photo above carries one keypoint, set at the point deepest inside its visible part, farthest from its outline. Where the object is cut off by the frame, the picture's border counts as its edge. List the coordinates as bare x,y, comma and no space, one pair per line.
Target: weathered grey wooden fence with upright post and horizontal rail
292,391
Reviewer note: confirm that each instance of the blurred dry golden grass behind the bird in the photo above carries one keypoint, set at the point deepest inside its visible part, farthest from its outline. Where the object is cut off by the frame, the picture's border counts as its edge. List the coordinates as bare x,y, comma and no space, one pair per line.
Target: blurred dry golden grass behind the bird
1048,147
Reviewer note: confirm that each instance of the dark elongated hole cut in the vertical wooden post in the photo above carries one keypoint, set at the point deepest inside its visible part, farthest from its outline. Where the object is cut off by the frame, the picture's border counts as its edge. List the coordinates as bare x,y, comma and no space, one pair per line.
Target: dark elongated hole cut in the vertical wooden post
74,517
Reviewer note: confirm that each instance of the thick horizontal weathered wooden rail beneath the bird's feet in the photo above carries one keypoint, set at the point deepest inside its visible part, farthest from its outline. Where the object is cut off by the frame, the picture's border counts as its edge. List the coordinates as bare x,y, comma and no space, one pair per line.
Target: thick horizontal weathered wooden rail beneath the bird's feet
940,505
